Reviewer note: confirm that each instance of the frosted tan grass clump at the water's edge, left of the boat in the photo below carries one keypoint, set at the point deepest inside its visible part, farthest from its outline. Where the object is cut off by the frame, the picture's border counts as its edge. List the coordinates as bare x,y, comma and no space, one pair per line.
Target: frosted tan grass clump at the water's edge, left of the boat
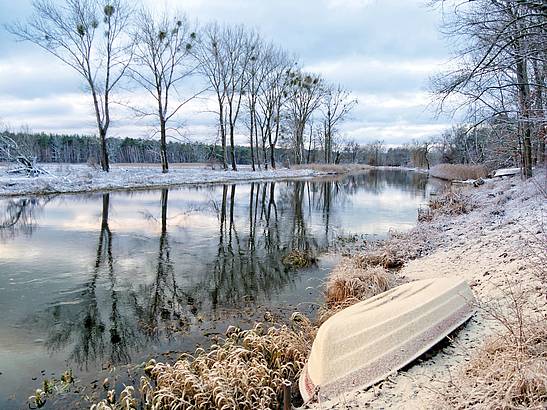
245,371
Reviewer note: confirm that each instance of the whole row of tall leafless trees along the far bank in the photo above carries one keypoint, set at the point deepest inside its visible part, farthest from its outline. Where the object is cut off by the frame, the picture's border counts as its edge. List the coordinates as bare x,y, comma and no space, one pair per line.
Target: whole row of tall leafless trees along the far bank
256,86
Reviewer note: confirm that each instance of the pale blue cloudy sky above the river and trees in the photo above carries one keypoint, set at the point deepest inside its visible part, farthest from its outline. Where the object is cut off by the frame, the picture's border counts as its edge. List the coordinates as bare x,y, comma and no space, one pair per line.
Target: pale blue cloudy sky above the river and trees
384,51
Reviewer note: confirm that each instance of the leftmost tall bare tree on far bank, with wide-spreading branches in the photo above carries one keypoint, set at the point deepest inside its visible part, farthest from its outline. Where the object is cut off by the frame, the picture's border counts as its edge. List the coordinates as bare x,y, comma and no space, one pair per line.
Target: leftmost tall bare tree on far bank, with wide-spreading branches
90,37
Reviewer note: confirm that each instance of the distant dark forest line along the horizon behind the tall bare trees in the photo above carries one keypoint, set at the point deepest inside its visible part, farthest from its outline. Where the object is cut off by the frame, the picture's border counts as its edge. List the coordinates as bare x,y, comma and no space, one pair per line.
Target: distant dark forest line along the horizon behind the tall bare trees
457,146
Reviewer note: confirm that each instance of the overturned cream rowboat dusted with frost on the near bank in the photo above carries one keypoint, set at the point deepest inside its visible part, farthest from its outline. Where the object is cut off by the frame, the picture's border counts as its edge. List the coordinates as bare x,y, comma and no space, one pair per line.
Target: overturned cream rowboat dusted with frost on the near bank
365,343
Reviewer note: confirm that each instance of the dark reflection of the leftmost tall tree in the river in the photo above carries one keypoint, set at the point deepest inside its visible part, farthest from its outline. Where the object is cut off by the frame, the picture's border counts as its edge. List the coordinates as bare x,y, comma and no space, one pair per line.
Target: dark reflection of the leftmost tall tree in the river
78,325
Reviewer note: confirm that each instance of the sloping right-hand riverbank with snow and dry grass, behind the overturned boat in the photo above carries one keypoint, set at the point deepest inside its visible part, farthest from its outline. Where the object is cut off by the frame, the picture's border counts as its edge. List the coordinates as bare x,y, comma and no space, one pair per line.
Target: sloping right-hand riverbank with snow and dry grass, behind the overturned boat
493,236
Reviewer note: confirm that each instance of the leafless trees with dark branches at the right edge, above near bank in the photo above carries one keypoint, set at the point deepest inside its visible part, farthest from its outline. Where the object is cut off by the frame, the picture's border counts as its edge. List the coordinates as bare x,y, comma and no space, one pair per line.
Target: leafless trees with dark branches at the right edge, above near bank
499,74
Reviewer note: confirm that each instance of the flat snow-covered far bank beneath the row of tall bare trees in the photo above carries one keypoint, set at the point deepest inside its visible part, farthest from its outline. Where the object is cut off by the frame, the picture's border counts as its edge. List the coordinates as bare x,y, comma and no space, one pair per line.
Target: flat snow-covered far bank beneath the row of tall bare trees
83,178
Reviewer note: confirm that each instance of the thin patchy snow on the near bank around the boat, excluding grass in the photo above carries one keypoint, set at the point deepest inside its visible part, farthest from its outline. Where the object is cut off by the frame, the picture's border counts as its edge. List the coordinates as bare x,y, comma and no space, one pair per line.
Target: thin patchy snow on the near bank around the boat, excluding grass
488,247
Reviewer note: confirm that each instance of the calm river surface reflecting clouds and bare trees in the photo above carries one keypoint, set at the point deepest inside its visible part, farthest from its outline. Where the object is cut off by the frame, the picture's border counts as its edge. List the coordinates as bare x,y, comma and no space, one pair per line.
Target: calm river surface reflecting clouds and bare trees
89,282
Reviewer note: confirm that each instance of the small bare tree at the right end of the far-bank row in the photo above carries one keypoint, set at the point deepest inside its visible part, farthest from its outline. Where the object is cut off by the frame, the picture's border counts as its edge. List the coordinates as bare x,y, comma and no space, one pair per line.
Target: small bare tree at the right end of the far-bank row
336,105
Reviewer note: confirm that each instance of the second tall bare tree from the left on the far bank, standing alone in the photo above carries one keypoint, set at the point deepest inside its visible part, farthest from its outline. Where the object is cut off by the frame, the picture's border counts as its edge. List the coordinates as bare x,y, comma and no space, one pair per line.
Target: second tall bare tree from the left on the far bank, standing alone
162,62
